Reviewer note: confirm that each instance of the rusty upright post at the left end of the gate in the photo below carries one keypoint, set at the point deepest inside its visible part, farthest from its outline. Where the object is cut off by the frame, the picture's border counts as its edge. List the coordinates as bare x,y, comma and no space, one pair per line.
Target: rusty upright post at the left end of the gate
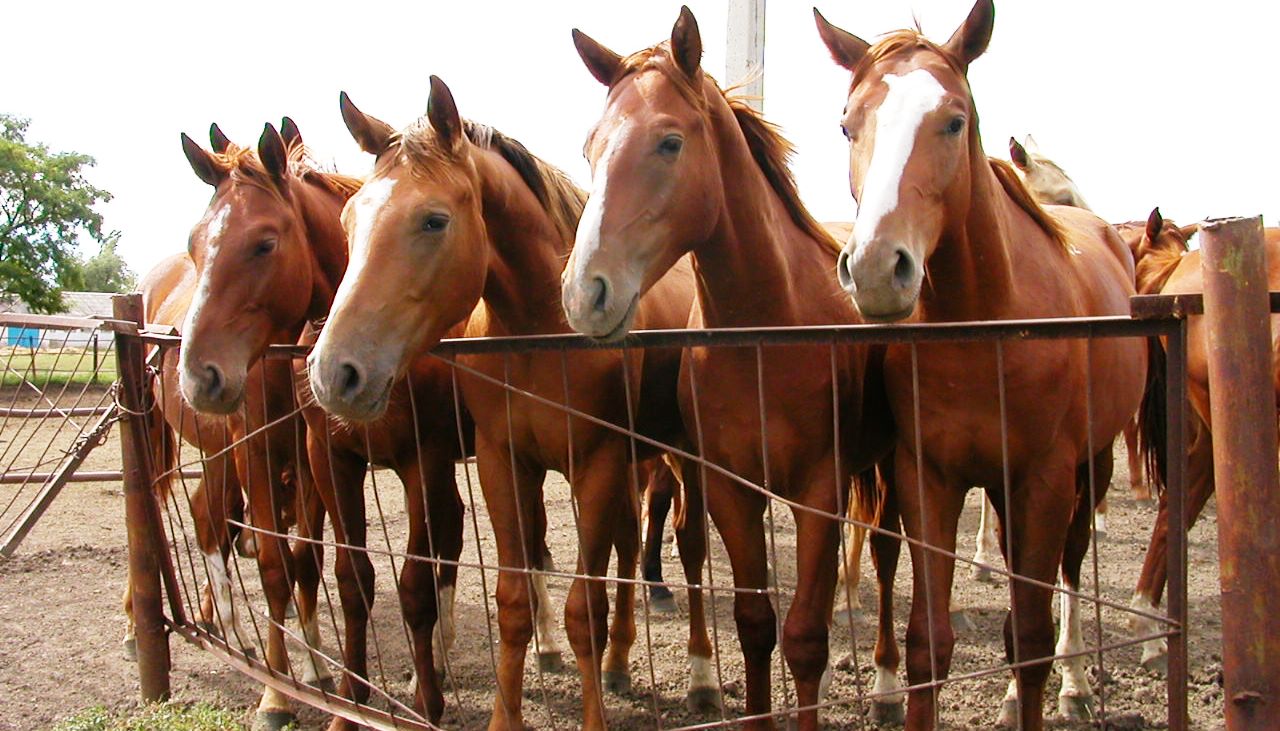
141,511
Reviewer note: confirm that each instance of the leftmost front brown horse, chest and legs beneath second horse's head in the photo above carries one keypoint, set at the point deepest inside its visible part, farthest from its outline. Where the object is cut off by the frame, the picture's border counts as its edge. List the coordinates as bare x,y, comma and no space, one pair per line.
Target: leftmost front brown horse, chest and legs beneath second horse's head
272,267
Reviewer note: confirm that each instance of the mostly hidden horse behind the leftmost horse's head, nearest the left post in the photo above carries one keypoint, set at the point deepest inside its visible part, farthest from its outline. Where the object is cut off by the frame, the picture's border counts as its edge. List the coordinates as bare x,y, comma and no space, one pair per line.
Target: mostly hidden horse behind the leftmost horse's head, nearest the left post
250,449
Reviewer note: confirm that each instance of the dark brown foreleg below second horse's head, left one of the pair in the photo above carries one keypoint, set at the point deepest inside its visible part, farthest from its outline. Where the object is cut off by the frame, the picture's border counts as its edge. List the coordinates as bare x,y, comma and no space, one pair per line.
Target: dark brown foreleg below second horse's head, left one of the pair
340,481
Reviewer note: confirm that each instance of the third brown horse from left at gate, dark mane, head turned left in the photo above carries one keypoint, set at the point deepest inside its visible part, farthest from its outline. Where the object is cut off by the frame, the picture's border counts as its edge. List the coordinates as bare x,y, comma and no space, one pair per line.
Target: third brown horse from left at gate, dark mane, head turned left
680,168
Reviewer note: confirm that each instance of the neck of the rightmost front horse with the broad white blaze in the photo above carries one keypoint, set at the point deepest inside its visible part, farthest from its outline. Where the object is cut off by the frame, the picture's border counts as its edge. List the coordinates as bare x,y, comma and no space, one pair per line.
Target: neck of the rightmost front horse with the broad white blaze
970,276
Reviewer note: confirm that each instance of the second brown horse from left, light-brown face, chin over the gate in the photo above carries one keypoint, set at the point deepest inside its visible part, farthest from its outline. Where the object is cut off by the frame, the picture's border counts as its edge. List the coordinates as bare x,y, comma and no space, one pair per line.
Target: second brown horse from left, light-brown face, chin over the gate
461,225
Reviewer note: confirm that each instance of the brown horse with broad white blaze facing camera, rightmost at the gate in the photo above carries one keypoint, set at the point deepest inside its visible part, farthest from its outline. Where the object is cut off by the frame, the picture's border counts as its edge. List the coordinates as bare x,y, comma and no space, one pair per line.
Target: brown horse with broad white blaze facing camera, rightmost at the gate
931,202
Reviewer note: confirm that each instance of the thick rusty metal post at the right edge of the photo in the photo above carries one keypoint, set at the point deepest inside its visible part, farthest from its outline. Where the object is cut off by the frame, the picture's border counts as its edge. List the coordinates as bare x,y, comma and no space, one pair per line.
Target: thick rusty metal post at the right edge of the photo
1237,312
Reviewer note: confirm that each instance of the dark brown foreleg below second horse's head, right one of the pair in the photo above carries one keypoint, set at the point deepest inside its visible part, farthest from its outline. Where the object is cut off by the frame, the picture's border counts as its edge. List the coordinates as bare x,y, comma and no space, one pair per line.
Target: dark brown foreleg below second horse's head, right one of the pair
418,586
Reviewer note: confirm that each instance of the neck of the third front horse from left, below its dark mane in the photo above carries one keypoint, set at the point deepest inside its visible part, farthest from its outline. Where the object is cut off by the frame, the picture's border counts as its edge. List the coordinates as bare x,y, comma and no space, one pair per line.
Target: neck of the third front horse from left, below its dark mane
755,268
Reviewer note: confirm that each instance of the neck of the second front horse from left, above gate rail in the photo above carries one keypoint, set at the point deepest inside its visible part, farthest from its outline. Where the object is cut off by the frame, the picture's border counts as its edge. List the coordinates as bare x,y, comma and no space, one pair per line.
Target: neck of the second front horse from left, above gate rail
528,253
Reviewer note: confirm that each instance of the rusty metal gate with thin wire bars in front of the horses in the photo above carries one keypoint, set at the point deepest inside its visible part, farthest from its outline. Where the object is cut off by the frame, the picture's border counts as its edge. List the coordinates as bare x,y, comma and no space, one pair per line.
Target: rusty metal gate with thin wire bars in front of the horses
163,555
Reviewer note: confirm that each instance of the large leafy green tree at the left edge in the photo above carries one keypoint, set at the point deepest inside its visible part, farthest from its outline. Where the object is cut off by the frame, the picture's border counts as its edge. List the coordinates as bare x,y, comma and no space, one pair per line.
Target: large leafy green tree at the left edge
45,207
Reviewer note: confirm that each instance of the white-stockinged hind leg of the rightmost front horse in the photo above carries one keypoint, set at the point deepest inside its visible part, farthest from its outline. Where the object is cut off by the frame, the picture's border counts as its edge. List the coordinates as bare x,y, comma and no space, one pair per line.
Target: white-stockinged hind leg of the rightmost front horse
1076,698
